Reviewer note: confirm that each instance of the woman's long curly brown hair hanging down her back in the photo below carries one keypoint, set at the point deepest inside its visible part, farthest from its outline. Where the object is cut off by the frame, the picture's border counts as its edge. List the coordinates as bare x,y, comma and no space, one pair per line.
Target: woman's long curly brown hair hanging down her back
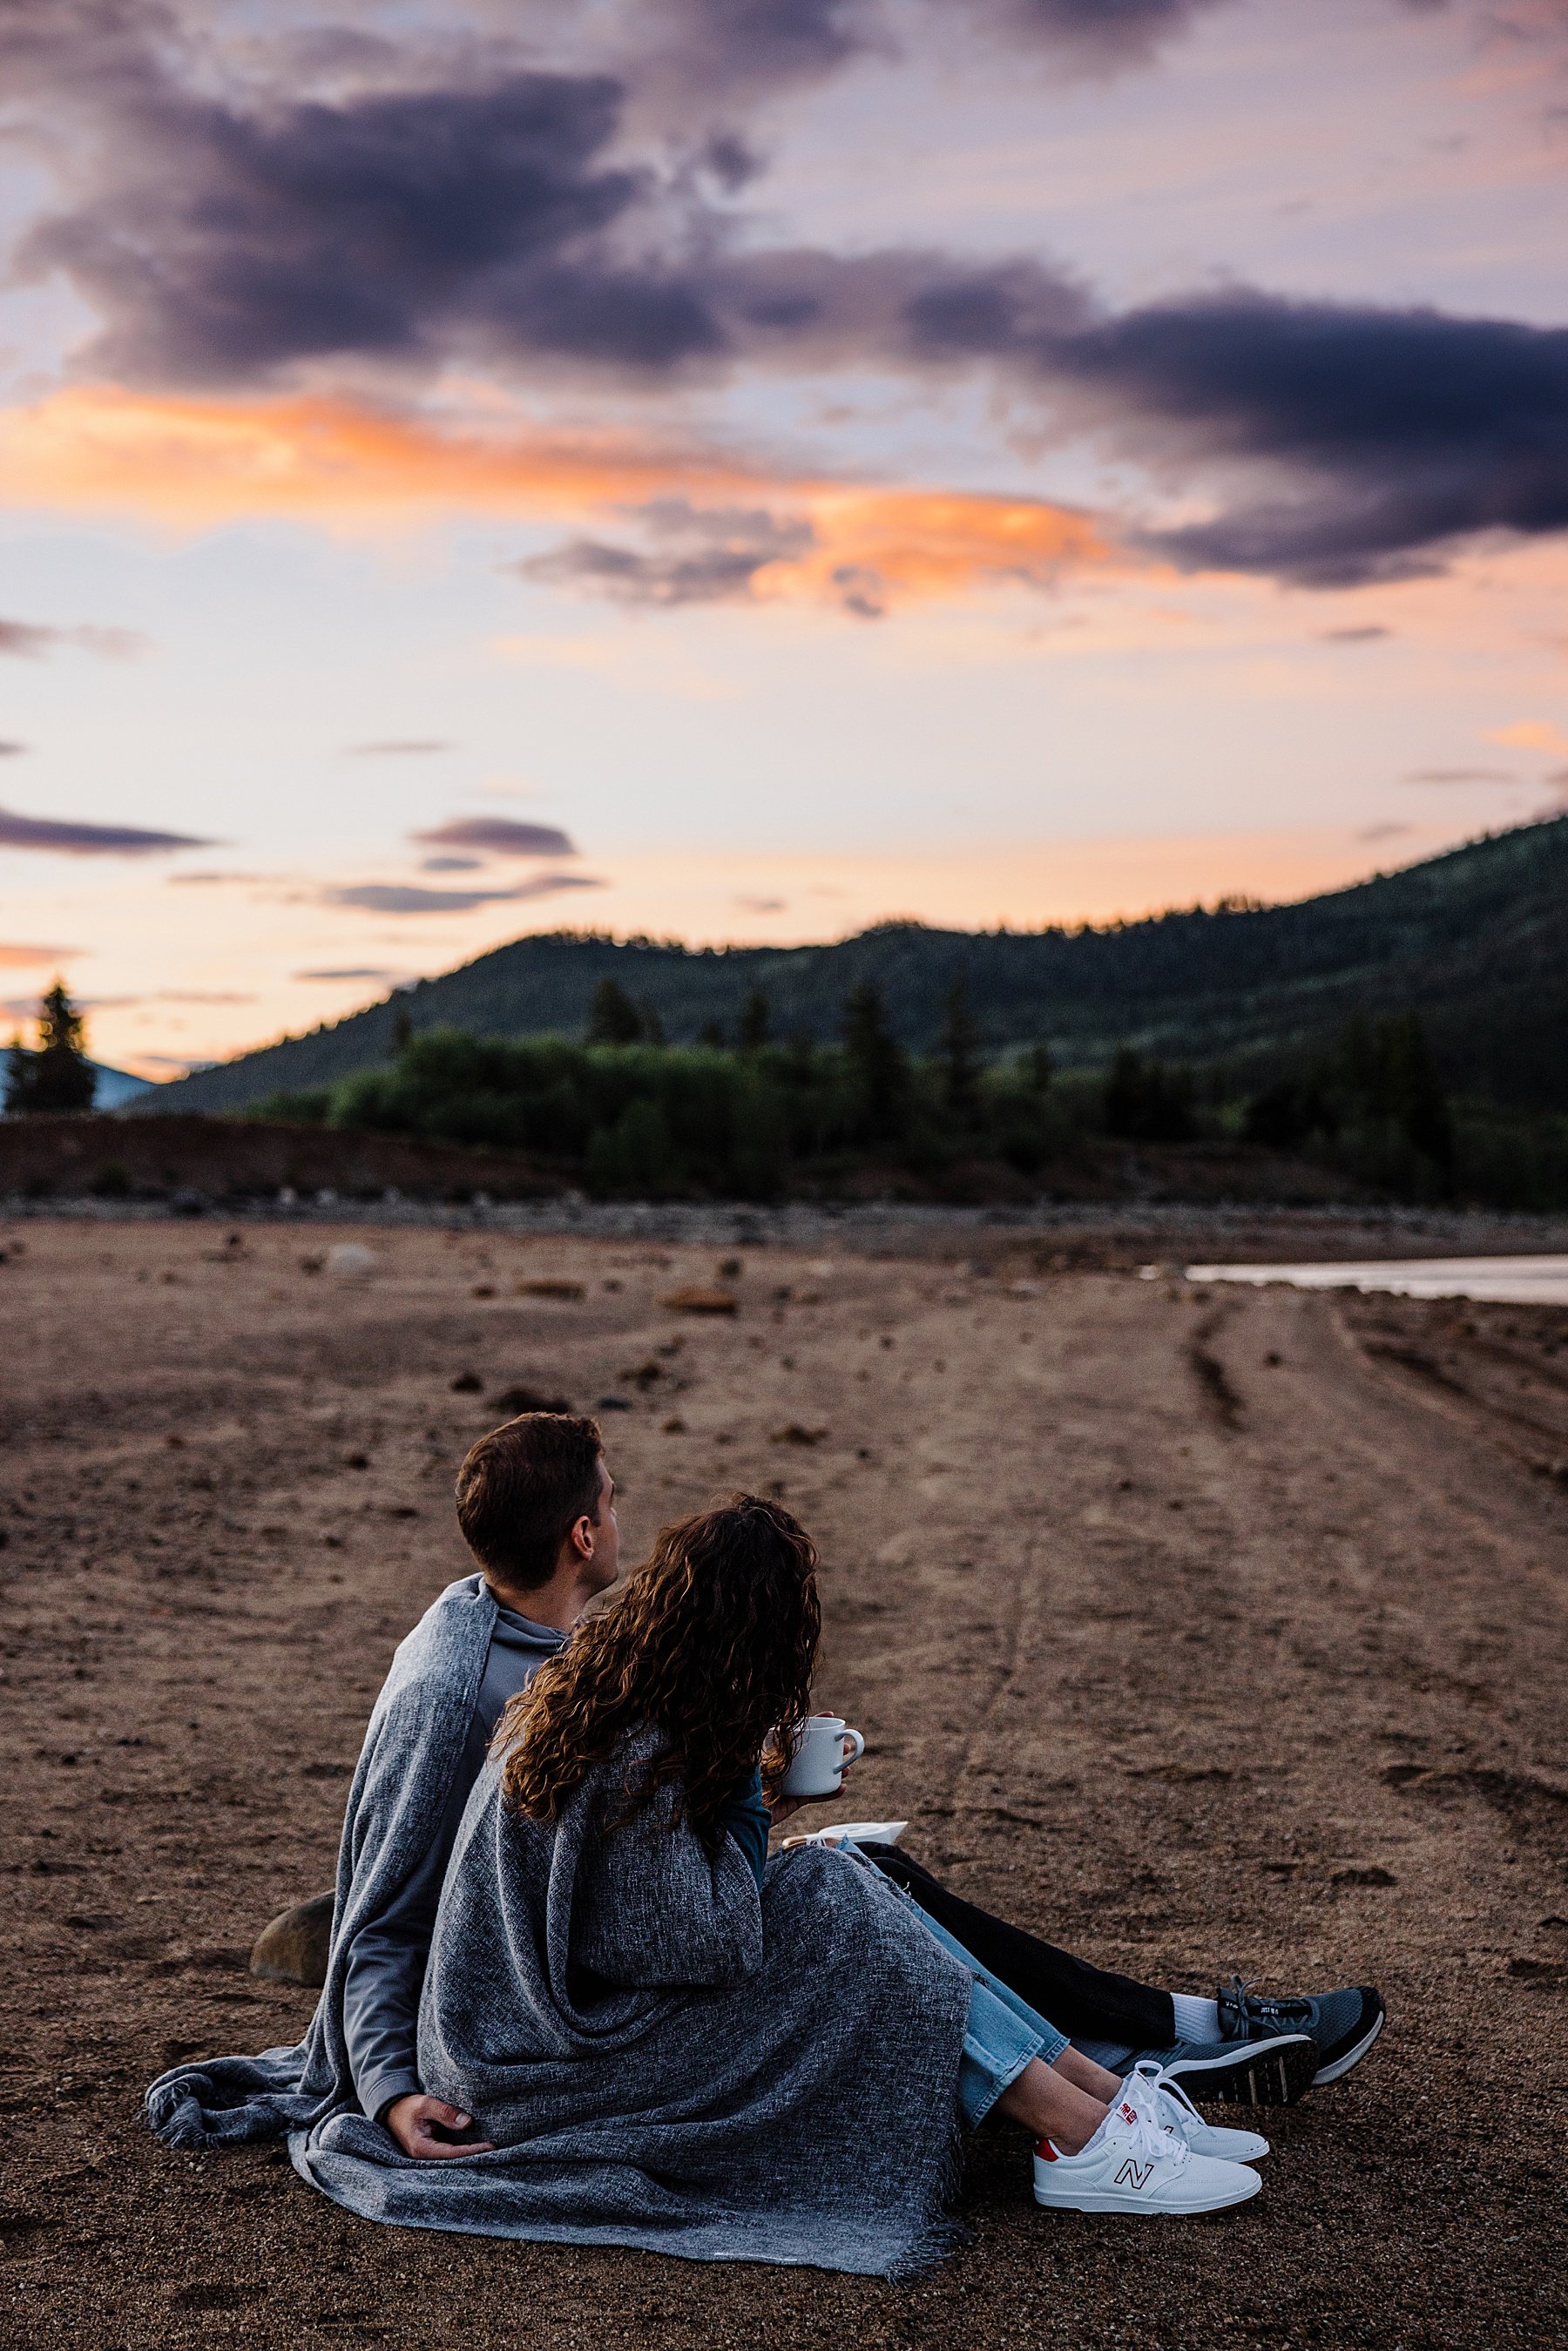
711,1645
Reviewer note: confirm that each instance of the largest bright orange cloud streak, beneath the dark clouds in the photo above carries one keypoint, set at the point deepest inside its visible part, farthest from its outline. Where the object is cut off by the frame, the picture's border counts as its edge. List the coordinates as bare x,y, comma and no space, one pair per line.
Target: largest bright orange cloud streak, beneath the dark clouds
199,462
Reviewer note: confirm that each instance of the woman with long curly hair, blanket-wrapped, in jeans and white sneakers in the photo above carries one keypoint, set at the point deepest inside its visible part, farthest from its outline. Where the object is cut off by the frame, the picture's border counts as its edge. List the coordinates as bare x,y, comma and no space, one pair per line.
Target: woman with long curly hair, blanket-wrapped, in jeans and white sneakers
674,2042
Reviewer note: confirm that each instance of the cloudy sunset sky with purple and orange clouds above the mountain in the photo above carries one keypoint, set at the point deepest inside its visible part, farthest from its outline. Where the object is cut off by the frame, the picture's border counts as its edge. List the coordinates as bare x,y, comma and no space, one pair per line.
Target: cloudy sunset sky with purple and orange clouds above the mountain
742,469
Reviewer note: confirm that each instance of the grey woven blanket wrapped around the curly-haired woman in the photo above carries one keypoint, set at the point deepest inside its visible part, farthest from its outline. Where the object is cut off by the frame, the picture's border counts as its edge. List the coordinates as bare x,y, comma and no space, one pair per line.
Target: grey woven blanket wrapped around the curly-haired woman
669,2058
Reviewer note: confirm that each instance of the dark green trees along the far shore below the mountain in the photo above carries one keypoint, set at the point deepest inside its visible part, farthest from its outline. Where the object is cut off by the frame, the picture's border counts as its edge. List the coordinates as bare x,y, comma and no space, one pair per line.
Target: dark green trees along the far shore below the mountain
751,1113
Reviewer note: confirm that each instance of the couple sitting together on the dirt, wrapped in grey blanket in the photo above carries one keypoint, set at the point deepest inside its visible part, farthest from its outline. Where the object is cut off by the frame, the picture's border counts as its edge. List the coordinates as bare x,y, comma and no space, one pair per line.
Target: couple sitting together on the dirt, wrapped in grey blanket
570,1997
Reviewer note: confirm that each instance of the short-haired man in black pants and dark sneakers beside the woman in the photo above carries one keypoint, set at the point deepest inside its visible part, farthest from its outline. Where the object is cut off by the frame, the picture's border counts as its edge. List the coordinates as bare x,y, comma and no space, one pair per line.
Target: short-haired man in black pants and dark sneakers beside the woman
537,1508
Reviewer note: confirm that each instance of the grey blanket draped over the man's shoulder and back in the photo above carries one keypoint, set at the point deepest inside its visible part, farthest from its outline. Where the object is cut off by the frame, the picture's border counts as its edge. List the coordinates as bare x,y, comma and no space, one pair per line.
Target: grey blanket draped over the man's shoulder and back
396,1804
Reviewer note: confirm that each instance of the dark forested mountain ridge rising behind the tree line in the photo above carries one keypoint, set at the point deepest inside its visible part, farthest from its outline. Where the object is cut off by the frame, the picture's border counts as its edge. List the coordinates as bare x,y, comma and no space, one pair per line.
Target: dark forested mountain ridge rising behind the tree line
1475,942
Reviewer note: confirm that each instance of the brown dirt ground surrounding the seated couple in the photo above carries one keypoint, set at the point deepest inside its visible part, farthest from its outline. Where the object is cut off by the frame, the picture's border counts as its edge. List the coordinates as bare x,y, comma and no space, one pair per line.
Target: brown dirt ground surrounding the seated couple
1195,1630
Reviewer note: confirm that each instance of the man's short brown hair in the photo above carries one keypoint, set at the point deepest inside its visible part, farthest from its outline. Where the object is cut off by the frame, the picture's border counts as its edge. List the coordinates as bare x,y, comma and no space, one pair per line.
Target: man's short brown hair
523,1489
